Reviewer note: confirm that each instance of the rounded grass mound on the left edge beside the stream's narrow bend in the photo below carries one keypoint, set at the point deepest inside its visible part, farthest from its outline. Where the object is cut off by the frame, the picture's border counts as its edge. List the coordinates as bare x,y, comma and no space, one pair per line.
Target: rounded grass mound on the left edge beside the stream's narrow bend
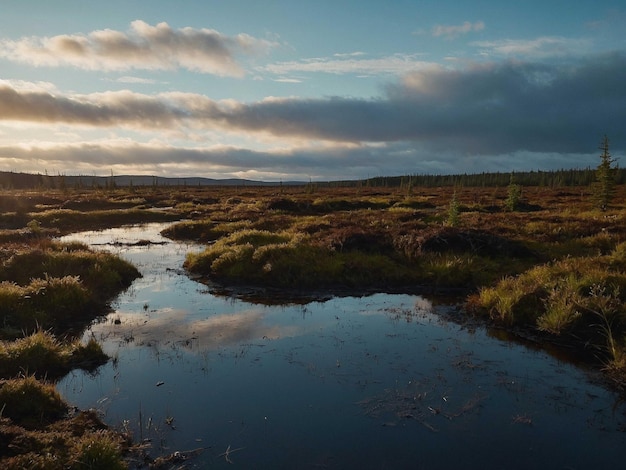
50,285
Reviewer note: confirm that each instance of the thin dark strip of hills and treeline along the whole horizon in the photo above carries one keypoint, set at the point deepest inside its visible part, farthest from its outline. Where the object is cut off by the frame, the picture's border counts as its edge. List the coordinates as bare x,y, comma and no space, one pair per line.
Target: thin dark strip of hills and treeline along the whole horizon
555,178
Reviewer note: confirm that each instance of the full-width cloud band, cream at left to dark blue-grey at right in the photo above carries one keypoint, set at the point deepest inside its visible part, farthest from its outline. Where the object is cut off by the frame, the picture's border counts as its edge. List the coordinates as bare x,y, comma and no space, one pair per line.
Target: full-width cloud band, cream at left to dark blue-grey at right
486,109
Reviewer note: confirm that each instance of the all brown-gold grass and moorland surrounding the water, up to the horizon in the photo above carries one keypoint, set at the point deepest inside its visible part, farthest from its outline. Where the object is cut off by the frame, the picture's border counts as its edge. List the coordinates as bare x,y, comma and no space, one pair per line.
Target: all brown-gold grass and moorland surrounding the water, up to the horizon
553,265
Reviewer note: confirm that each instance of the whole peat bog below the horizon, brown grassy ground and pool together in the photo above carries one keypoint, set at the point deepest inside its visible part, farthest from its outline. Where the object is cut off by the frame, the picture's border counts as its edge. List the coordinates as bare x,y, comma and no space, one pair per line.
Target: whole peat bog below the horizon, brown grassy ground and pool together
550,271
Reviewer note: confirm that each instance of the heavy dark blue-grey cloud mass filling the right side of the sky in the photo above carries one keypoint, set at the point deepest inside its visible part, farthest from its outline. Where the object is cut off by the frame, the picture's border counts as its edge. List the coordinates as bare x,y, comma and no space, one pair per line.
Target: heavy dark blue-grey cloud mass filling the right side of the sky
487,109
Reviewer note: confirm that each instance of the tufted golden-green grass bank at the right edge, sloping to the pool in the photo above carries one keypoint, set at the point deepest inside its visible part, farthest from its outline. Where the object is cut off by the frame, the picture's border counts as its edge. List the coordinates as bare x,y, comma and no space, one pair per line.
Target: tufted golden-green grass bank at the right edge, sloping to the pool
575,300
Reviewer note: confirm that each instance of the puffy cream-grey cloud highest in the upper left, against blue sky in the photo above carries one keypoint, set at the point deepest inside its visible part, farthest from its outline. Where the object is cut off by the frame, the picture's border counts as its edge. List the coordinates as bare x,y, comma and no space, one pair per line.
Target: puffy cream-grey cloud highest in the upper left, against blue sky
144,46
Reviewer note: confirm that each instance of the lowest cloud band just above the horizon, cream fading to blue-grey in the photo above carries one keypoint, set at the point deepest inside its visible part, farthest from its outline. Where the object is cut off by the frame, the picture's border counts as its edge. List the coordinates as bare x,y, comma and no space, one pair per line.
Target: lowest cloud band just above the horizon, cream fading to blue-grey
298,163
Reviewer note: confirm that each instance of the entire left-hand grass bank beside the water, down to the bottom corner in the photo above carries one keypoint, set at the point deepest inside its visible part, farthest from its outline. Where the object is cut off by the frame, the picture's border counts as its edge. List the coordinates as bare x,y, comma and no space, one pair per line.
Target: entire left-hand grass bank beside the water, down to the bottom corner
49,291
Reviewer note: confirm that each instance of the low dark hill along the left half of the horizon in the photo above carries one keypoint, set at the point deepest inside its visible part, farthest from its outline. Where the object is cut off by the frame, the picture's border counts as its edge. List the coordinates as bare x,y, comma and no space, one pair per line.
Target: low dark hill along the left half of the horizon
12,180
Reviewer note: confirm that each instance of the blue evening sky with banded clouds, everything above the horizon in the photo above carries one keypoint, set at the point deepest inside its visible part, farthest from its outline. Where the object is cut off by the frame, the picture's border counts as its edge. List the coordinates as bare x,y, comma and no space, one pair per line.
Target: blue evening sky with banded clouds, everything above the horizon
283,90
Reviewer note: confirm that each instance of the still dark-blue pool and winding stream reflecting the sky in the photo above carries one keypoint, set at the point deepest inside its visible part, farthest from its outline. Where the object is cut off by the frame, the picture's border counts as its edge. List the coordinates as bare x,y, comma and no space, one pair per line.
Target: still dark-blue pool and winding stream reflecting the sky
383,381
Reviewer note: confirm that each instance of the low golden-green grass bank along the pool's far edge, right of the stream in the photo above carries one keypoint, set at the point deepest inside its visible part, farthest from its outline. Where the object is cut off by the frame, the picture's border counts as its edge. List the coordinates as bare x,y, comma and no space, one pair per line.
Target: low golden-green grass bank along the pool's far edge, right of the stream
347,260
